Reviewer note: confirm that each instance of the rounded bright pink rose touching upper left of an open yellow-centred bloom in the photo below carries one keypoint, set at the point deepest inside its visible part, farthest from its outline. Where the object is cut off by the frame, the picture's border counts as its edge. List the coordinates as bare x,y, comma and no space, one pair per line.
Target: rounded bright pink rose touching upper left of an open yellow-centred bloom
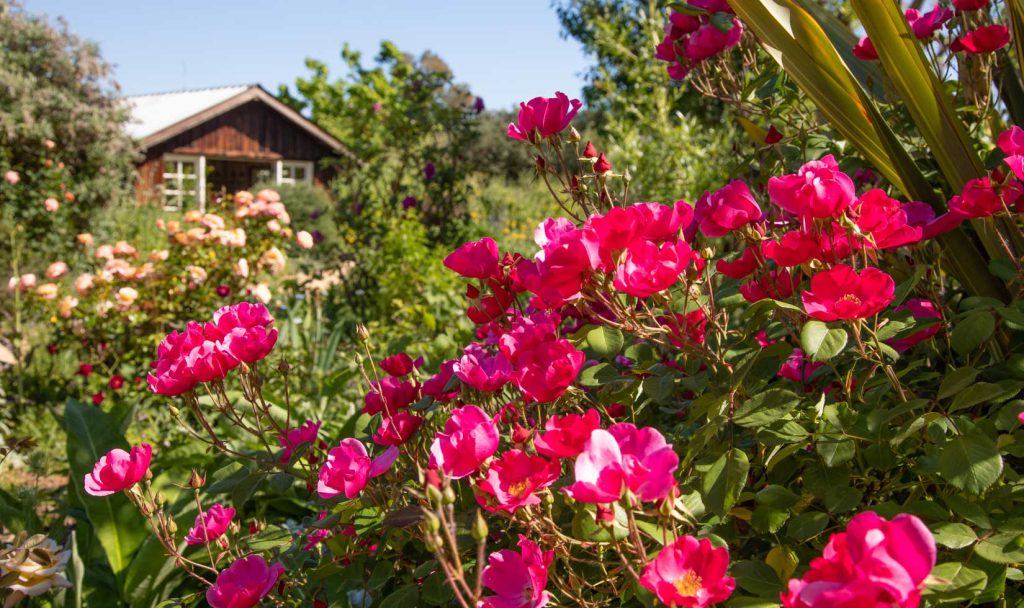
470,439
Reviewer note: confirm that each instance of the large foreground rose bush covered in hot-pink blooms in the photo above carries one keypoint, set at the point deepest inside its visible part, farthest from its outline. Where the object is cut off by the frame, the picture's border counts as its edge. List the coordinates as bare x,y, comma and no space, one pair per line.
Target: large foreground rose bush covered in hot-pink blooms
801,392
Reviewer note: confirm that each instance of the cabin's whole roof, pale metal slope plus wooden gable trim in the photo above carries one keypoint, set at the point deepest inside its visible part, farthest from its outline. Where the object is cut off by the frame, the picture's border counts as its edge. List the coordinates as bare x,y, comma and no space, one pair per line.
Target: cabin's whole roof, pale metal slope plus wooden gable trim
158,118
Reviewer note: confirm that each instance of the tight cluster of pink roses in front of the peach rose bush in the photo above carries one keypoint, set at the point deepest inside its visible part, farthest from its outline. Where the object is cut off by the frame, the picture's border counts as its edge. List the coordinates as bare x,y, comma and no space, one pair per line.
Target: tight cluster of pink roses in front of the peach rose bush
239,334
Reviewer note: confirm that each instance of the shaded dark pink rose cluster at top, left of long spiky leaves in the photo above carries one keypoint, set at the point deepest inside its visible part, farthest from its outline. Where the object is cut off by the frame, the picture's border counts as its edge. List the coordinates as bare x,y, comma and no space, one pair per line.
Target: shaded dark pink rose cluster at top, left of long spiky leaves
703,32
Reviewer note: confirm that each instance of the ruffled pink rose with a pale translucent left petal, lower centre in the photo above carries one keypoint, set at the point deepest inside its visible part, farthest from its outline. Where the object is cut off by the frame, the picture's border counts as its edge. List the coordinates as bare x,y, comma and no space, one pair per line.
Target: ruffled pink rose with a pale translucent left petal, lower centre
638,460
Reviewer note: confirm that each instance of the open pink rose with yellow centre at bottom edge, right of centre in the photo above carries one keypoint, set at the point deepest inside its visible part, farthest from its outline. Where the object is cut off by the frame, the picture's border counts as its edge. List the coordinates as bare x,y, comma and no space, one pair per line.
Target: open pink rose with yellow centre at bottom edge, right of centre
690,573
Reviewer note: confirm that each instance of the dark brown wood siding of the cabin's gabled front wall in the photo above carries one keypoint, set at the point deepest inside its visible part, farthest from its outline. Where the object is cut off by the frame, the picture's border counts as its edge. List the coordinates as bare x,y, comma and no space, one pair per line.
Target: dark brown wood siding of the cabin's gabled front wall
253,132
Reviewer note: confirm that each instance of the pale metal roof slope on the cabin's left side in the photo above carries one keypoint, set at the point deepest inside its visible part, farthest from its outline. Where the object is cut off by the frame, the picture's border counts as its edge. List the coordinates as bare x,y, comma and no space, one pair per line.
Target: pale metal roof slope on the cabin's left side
157,112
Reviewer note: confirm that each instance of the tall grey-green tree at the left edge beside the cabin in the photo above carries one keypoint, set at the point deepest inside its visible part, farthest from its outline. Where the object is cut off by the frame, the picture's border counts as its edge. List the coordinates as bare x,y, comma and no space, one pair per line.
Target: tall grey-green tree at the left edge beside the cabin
59,108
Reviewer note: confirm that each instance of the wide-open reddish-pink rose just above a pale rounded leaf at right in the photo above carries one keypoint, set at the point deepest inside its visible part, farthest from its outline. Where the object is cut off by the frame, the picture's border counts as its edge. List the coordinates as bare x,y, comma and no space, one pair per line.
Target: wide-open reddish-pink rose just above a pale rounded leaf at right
841,293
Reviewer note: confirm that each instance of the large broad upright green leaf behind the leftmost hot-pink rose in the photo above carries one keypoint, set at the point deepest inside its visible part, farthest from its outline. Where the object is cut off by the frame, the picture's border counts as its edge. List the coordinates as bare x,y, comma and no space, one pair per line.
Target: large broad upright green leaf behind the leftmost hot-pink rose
115,520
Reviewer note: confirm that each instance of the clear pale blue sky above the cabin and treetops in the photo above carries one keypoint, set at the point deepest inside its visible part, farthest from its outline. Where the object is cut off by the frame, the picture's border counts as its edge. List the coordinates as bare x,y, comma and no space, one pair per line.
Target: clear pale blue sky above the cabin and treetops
506,52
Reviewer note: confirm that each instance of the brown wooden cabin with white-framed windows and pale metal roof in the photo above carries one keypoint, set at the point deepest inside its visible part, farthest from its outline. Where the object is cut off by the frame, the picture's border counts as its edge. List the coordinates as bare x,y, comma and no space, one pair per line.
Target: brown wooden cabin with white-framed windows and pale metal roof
199,144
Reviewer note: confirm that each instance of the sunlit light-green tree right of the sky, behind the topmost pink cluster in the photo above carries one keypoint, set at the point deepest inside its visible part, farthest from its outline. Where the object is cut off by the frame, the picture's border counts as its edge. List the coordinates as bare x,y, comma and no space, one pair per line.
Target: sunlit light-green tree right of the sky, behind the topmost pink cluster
669,138
